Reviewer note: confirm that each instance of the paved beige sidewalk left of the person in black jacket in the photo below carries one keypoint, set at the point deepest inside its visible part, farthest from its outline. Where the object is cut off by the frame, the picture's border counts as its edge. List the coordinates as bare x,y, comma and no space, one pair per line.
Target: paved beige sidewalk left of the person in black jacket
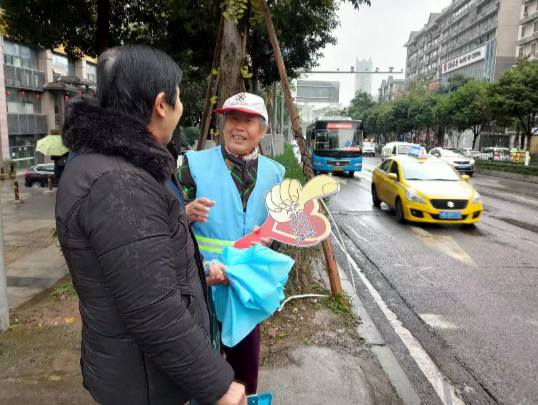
32,259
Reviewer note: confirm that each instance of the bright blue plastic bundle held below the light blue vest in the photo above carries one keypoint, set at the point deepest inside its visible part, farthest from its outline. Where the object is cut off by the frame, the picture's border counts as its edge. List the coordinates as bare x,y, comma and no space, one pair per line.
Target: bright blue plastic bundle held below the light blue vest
257,277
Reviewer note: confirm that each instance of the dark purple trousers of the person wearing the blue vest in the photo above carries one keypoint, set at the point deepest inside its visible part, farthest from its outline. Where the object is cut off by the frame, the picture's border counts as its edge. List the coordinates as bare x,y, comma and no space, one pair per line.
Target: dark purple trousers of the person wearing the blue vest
245,360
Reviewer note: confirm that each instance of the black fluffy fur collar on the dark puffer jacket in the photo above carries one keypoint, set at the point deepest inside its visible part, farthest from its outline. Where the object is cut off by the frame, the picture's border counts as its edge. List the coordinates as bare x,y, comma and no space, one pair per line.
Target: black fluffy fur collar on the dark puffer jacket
88,128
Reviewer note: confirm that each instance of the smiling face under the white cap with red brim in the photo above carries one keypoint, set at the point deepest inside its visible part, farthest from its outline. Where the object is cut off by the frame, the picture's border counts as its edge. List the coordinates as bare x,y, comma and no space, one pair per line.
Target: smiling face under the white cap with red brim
242,132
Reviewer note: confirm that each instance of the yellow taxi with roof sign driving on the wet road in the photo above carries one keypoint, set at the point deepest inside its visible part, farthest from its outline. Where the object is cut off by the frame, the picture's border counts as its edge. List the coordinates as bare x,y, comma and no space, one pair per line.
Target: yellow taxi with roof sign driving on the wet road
425,189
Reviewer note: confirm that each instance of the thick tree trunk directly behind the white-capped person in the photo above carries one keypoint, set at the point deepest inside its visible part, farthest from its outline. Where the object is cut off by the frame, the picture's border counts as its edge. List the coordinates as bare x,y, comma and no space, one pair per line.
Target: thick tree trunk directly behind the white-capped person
231,58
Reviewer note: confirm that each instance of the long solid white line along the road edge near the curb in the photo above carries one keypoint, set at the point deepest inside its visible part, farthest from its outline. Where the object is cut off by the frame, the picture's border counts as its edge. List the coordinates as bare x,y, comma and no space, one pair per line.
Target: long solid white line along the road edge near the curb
442,386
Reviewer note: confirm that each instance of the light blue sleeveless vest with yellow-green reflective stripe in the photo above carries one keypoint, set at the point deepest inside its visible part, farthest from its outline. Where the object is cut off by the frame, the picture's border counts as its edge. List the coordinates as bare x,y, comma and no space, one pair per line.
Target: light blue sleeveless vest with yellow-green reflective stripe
227,221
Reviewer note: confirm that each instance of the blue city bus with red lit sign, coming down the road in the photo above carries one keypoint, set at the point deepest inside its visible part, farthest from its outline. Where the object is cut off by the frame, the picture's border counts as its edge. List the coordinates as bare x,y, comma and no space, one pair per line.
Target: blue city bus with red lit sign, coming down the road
336,145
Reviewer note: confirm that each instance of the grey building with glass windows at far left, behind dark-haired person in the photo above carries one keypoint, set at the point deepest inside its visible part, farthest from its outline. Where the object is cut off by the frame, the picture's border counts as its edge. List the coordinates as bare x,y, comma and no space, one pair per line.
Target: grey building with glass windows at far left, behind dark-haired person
34,86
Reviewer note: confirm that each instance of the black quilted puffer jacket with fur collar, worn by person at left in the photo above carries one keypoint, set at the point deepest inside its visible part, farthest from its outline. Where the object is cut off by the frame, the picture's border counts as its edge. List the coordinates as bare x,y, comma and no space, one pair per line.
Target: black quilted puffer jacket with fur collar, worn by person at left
135,266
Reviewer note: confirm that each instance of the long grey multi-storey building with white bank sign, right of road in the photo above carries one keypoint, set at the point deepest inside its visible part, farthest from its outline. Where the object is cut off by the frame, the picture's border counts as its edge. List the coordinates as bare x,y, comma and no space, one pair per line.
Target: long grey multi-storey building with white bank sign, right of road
474,38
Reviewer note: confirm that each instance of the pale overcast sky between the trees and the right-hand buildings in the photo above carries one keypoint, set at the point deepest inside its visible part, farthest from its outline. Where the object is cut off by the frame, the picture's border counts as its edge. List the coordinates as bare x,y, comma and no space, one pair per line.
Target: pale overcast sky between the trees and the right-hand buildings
379,32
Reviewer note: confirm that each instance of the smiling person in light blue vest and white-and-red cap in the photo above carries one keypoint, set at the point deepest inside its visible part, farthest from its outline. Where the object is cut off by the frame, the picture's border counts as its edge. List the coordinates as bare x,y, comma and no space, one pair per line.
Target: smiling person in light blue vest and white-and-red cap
224,189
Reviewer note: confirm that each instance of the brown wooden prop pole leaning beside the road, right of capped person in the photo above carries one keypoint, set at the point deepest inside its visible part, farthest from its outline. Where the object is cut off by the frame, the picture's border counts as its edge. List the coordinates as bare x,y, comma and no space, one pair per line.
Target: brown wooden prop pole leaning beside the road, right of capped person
332,268
